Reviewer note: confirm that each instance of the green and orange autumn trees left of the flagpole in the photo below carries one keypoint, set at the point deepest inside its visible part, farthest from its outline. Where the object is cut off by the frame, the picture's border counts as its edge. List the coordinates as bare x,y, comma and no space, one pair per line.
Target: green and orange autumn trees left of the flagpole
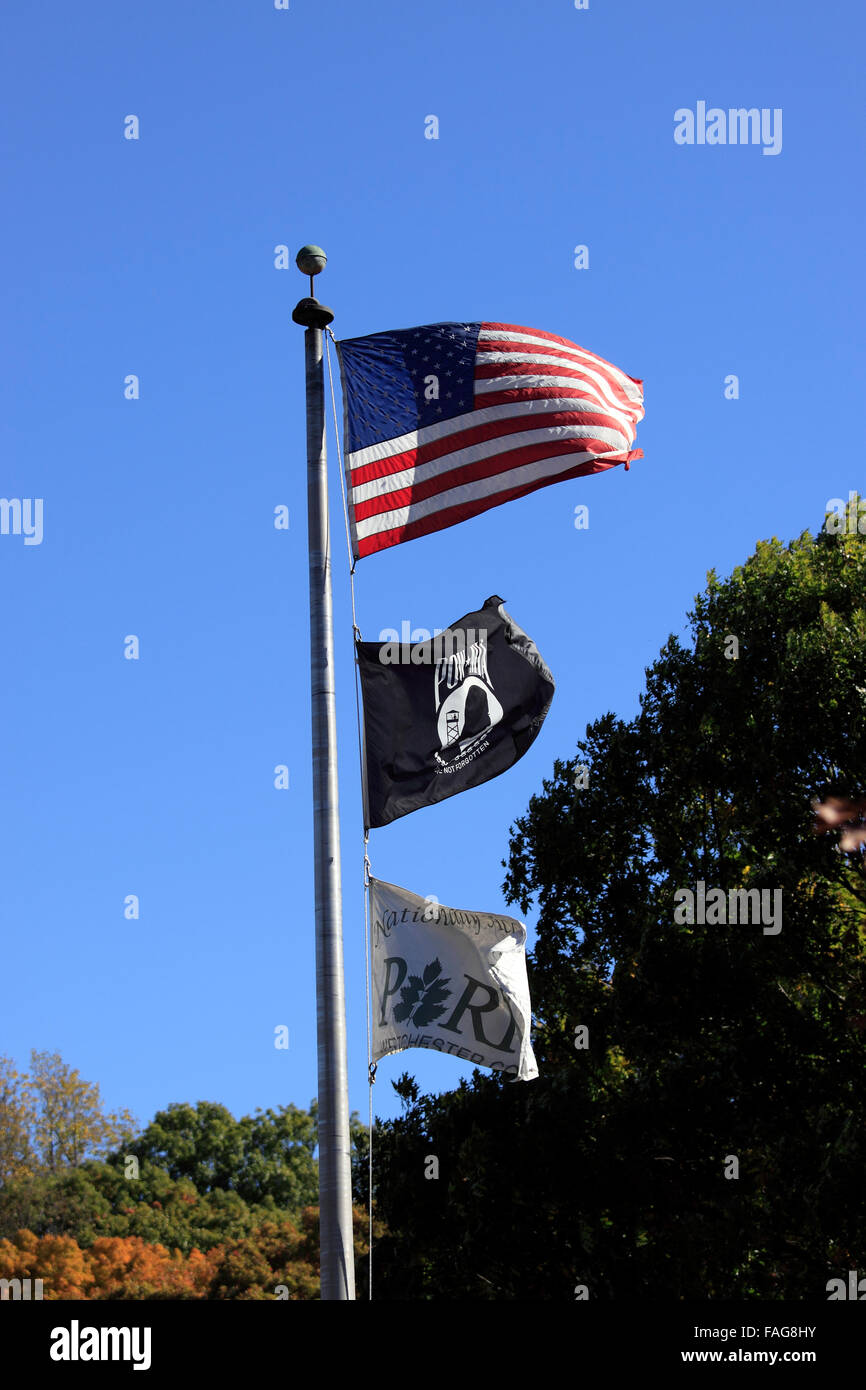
197,1206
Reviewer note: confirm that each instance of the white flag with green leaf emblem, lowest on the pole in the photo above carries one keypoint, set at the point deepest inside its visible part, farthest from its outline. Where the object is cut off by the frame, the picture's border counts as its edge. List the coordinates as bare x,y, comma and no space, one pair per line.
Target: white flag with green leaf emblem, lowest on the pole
450,981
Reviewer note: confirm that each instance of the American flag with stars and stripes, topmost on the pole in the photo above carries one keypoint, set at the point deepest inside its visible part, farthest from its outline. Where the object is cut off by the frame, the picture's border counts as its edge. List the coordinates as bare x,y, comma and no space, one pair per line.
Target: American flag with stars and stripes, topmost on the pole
448,420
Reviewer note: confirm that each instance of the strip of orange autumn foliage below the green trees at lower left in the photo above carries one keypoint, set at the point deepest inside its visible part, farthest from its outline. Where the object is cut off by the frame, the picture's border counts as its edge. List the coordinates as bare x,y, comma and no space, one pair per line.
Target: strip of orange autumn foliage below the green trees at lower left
280,1260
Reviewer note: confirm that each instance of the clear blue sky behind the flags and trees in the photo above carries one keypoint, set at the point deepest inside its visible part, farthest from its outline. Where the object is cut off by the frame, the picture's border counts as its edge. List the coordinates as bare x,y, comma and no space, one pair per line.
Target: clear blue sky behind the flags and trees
156,258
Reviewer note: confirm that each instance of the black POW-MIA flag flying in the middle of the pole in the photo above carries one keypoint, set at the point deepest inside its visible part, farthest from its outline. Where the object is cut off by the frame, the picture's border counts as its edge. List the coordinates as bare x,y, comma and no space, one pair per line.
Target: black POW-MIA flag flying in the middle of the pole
448,714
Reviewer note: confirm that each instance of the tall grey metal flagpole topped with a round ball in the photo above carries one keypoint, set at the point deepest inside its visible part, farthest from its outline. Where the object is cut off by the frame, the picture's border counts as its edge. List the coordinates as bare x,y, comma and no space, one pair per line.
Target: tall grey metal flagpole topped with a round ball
337,1256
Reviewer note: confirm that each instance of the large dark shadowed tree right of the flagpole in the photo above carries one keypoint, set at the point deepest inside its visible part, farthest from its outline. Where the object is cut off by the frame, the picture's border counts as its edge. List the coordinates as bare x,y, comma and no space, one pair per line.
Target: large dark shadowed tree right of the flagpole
710,1040
